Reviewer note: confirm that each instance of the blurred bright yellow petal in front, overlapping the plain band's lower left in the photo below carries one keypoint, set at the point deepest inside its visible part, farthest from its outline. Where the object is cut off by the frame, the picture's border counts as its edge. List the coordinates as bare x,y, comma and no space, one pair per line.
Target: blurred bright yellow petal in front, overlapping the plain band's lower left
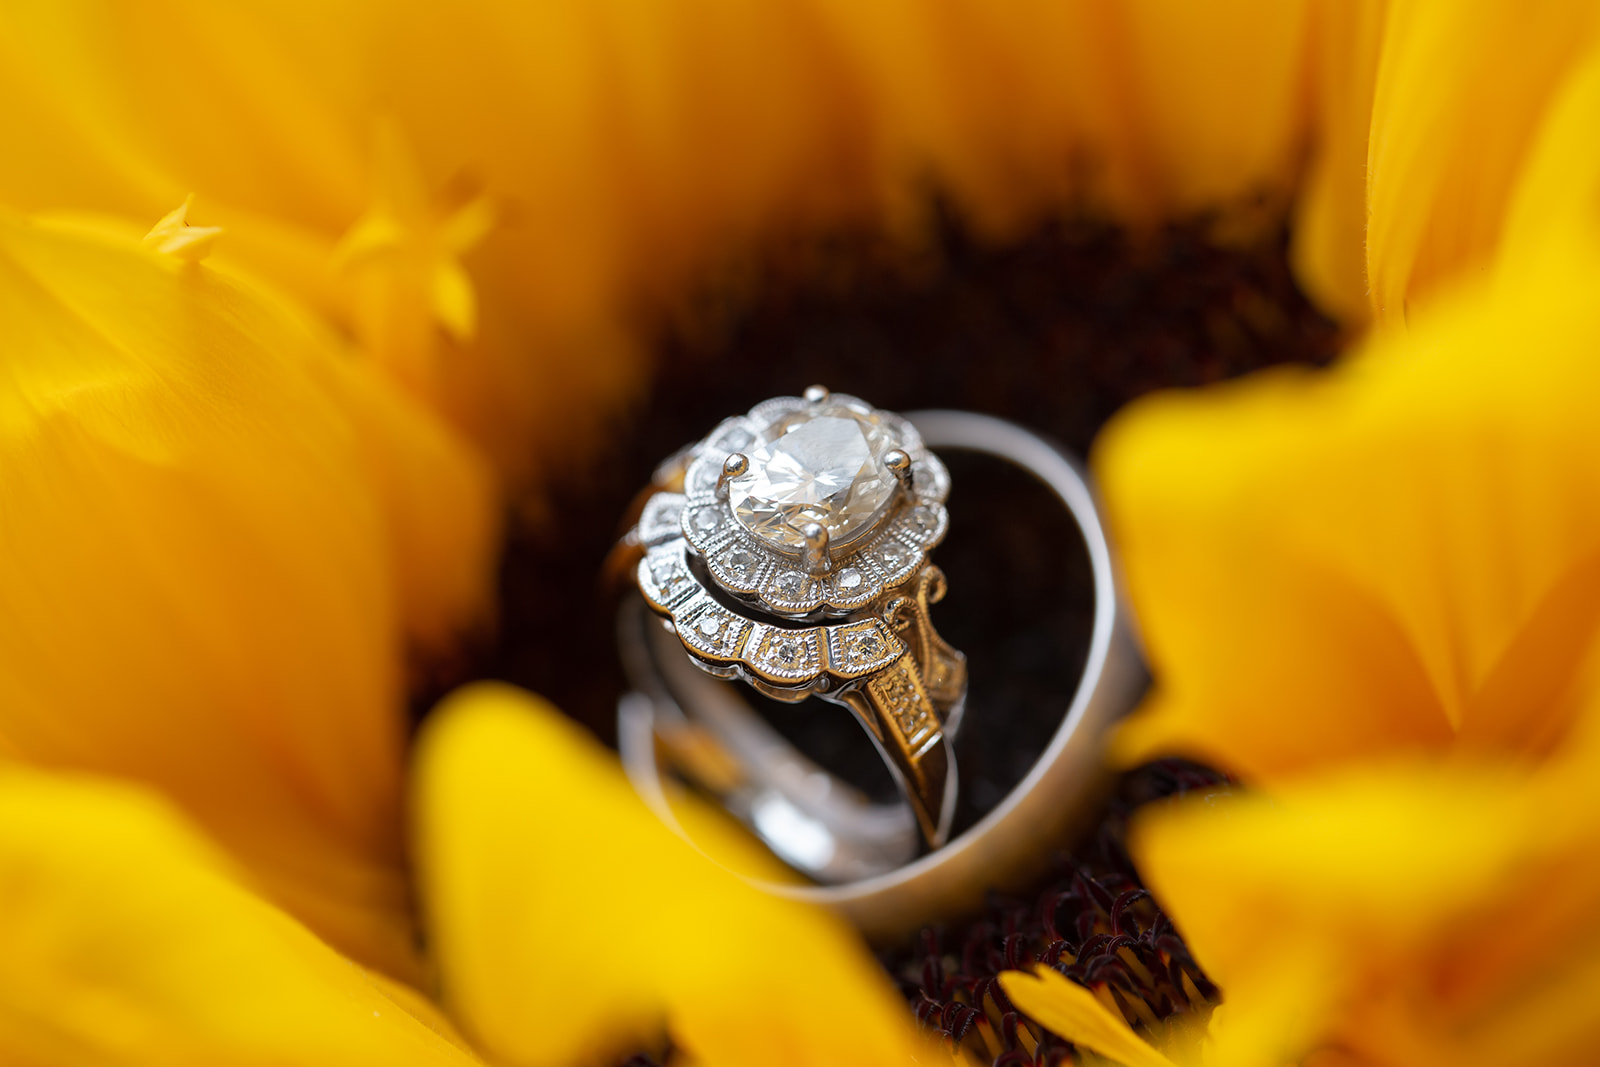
570,925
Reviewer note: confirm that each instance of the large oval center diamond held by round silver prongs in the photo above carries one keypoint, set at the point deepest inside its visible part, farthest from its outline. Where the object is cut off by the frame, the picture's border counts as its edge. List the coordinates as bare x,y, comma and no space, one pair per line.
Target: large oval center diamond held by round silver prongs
817,466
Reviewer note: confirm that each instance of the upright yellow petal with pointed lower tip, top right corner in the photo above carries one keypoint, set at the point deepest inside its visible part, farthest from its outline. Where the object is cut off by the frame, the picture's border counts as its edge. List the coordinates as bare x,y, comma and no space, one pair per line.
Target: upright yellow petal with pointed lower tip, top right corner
1460,97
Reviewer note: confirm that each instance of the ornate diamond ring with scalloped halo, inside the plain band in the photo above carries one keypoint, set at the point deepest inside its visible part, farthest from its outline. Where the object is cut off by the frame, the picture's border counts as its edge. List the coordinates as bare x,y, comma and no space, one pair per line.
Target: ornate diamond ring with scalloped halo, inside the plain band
790,549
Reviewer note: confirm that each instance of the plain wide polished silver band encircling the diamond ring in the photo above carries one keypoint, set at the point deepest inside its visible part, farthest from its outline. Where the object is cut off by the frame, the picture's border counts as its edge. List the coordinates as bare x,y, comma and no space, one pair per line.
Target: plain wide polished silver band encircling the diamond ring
831,831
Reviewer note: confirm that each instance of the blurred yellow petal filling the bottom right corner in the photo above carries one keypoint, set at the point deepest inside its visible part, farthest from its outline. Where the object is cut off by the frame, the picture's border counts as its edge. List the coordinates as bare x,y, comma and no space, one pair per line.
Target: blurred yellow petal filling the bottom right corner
1398,914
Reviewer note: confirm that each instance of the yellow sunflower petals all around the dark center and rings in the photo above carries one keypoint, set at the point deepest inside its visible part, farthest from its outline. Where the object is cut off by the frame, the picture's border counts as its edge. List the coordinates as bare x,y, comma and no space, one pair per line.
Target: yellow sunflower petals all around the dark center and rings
402,282
